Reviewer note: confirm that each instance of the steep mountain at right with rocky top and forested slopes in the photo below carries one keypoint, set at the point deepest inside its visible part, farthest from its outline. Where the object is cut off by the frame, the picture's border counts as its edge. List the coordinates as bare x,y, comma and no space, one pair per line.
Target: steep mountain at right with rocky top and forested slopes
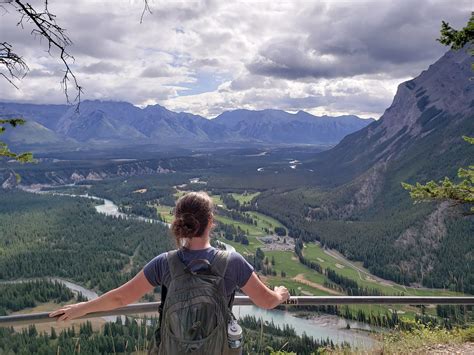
357,204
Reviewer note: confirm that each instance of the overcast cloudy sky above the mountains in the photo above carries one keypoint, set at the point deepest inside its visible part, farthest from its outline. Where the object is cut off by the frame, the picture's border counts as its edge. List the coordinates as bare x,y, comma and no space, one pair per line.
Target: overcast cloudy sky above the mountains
209,56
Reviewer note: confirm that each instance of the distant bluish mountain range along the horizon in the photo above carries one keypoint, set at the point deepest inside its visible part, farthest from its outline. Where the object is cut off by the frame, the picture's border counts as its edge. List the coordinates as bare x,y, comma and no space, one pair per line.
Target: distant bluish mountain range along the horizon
121,123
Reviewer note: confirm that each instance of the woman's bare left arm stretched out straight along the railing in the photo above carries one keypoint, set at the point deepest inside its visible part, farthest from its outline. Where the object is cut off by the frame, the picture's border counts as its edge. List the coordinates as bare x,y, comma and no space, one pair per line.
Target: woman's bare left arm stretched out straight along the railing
128,293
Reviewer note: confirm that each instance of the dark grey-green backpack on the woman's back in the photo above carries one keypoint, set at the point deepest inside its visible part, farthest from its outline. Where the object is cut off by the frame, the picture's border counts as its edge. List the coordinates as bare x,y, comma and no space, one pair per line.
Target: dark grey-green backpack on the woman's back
194,313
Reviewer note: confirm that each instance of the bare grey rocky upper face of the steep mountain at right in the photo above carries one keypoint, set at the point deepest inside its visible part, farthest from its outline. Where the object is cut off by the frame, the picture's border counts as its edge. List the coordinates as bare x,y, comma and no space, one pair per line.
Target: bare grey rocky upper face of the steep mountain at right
443,90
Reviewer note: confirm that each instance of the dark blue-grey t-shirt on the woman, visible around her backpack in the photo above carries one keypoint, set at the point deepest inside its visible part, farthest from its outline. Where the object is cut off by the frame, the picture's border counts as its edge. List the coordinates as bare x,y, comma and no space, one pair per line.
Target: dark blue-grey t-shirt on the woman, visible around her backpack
237,274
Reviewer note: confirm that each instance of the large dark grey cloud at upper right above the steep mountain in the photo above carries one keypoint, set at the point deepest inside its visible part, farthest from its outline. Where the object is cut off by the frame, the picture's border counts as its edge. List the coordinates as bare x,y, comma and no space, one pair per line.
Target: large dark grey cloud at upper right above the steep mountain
349,39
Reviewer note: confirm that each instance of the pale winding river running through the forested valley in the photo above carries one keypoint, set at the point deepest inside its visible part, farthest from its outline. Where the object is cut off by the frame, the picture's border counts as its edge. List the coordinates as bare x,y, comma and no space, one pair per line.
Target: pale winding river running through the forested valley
319,327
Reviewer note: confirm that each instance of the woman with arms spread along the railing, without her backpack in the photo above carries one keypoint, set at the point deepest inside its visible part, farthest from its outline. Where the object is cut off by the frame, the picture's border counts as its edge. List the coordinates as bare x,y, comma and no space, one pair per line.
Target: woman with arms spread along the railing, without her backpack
192,224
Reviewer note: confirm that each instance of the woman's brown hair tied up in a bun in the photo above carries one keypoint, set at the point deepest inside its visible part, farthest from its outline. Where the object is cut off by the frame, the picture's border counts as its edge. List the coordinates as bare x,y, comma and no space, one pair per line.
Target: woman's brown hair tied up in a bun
192,214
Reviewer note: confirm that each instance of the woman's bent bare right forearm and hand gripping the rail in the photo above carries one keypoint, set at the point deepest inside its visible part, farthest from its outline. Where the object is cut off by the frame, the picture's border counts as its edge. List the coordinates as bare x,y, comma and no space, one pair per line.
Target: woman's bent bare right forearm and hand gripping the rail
262,296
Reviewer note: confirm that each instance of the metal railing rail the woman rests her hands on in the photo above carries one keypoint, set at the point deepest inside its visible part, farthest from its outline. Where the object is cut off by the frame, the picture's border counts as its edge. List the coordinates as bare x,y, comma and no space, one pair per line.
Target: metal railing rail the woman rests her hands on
152,307
